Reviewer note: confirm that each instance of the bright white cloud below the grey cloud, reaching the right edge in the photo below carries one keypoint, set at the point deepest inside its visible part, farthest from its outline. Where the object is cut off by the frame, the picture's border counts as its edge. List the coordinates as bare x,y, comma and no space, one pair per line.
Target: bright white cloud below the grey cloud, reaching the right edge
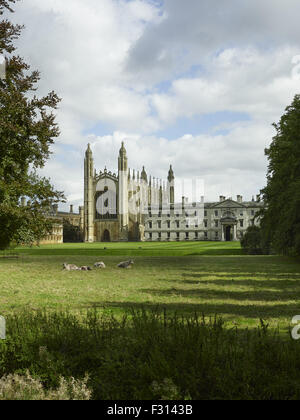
237,80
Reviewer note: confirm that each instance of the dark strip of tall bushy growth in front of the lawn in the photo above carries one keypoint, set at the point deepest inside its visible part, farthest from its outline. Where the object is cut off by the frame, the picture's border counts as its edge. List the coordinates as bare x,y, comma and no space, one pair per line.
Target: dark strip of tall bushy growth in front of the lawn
145,356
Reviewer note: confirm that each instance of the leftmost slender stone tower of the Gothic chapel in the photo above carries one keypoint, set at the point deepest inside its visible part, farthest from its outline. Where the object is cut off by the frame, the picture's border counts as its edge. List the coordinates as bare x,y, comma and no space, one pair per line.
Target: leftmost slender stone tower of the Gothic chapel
88,196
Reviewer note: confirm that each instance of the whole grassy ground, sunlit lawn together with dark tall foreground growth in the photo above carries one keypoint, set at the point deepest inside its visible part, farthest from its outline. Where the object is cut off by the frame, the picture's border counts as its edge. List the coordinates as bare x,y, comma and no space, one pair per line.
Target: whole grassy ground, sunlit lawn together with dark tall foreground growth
140,333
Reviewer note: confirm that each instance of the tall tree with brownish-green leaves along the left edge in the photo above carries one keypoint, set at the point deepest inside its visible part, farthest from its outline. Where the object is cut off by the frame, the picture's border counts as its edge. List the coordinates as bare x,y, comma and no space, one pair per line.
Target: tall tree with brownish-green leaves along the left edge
27,130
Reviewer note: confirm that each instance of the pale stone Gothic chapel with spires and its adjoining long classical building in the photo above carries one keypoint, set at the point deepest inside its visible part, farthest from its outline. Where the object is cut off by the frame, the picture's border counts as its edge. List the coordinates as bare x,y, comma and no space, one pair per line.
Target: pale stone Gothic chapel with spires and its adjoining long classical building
129,206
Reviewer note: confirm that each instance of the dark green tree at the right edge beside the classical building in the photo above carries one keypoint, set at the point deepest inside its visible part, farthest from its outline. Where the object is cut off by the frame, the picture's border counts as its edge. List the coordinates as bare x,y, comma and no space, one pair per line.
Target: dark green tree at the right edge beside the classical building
281,215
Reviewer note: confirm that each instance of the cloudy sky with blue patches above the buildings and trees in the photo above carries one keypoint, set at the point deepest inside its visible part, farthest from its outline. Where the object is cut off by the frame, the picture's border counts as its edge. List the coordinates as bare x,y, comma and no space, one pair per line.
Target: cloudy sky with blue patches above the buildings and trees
196,84
